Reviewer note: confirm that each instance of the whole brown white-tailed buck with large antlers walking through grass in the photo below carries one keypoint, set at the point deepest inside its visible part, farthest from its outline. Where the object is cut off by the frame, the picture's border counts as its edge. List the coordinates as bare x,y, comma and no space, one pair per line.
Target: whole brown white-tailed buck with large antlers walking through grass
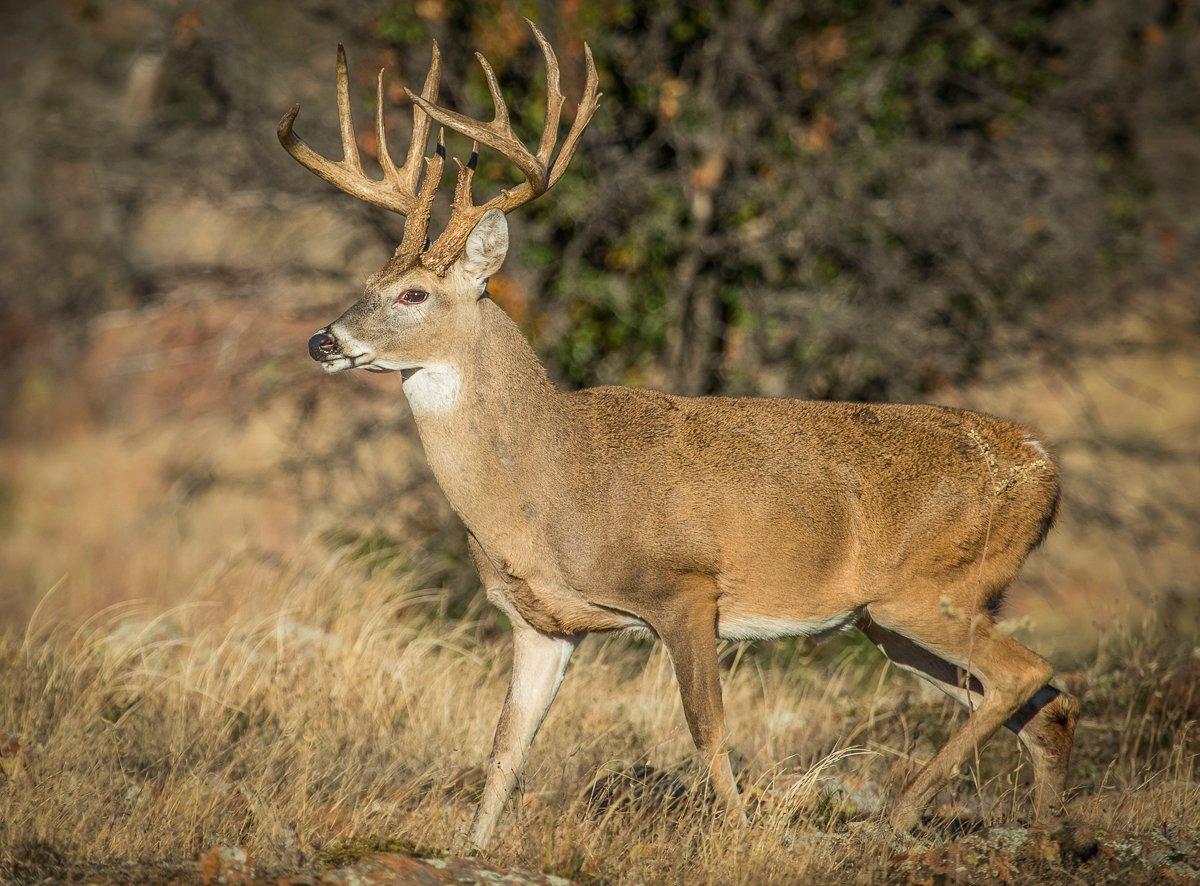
694,519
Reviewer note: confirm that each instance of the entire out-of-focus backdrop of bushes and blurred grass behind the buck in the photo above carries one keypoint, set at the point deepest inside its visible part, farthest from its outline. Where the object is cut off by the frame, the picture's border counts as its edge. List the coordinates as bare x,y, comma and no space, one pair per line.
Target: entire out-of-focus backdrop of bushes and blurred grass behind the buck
981,205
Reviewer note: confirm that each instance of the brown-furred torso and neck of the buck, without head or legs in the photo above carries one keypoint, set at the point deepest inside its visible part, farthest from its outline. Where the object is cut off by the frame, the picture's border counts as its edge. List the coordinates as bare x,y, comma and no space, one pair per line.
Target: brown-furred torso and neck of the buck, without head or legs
596,500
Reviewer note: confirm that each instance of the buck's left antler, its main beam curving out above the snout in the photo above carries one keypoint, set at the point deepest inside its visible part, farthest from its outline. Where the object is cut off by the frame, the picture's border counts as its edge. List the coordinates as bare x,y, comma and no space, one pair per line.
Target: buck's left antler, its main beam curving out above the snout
399,189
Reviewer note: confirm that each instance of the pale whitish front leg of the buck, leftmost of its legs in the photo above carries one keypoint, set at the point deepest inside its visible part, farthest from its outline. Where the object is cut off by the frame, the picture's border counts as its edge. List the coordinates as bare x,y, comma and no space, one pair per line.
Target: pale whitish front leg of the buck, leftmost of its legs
539,662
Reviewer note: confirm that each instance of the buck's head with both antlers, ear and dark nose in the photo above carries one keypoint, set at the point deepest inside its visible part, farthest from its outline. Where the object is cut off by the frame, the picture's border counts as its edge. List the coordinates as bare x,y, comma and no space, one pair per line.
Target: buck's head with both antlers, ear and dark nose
423,306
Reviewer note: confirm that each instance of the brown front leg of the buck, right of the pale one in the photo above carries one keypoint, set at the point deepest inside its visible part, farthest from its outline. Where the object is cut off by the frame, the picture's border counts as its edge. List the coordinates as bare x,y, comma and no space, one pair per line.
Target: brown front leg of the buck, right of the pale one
689,632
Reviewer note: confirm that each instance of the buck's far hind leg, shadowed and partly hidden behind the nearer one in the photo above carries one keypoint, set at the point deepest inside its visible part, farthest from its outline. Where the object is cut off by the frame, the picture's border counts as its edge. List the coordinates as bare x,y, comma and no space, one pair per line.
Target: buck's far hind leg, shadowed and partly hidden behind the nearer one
1046,723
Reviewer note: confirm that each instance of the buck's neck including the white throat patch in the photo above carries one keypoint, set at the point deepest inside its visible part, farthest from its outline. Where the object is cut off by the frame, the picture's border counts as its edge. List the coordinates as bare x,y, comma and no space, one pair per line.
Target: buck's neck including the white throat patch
494,430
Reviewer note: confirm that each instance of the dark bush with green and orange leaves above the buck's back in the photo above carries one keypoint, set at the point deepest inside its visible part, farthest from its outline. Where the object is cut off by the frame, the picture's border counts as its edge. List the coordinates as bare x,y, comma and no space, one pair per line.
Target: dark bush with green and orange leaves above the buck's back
855,200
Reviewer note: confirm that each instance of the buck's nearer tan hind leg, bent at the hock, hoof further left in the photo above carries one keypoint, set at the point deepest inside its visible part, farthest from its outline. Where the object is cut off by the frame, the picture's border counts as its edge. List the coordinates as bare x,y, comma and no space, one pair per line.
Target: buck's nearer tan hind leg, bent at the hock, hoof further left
1006,678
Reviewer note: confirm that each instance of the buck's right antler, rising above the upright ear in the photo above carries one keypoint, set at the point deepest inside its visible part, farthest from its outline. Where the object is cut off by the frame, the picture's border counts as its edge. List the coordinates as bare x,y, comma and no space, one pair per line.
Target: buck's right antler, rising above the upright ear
541,175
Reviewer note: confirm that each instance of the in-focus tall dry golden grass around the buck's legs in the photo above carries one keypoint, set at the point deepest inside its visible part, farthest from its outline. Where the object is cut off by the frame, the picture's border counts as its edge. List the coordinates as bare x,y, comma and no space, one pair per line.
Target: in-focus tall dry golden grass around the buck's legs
329,713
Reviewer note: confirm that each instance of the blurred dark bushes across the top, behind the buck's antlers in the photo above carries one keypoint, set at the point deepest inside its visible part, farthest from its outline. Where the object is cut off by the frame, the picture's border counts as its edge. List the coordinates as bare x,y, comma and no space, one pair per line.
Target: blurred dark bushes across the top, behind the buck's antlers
838,199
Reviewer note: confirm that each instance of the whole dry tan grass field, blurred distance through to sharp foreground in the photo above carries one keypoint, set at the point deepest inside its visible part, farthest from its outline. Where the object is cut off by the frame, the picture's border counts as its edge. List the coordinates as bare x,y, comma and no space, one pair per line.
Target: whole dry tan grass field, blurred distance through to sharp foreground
238,614
